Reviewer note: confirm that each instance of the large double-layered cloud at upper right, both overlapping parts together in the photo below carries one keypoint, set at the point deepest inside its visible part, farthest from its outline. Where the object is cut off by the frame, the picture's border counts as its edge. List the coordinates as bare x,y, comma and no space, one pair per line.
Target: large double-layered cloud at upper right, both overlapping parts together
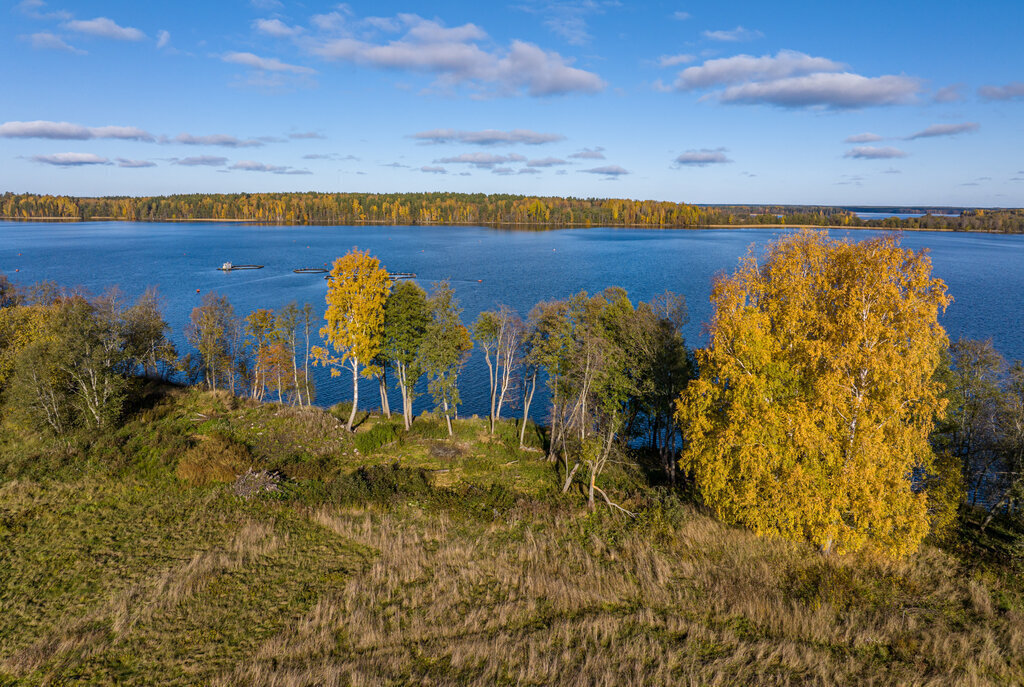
792,79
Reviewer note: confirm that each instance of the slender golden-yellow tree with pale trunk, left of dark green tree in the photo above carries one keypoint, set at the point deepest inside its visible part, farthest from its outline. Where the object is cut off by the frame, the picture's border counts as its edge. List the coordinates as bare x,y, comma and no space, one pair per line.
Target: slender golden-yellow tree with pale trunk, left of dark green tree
358,289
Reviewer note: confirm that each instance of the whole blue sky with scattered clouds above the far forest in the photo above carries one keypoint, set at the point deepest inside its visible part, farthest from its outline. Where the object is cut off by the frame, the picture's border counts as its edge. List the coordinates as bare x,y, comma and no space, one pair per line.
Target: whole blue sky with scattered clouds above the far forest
804,103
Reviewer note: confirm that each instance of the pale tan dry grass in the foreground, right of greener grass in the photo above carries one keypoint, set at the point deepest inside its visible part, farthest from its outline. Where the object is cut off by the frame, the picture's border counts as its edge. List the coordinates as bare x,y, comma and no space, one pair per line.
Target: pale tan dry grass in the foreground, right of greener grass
709,606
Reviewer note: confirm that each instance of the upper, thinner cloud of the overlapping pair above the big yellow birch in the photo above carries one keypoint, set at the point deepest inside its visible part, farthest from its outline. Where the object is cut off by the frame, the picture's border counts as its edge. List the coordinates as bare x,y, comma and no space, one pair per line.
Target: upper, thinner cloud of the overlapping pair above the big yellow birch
748,68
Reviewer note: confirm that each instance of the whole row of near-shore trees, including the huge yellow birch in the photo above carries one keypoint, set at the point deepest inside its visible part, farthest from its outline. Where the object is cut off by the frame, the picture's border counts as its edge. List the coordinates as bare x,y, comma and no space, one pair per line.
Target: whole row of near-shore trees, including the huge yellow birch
829,406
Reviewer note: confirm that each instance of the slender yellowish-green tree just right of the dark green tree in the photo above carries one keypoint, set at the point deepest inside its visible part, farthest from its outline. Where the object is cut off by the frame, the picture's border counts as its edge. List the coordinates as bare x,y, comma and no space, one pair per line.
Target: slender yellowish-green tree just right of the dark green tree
444,352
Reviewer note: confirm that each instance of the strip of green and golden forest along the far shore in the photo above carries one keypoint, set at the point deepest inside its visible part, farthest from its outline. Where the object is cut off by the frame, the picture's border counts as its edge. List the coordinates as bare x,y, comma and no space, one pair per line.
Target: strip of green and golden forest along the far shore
499,209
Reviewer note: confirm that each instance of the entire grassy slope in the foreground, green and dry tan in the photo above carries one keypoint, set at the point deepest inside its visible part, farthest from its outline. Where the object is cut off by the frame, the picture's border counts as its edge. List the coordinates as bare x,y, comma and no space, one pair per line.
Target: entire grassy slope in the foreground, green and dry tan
391,560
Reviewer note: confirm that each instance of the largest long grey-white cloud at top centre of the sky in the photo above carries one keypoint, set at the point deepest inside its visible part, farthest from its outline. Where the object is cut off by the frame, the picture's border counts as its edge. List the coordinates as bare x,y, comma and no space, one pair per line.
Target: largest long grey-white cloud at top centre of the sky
455,58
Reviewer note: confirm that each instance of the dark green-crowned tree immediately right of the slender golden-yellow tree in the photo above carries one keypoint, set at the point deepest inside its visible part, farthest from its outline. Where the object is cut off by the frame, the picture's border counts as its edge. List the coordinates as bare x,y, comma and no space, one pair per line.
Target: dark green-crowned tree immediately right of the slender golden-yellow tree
407,315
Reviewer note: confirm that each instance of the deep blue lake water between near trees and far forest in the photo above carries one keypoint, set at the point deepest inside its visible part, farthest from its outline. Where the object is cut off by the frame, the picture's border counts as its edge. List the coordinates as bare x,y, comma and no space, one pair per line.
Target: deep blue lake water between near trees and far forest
486,267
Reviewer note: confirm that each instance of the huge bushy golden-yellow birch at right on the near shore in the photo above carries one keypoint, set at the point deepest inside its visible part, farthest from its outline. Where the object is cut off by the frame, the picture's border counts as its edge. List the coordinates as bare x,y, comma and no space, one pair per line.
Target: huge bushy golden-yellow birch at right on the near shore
817,398
